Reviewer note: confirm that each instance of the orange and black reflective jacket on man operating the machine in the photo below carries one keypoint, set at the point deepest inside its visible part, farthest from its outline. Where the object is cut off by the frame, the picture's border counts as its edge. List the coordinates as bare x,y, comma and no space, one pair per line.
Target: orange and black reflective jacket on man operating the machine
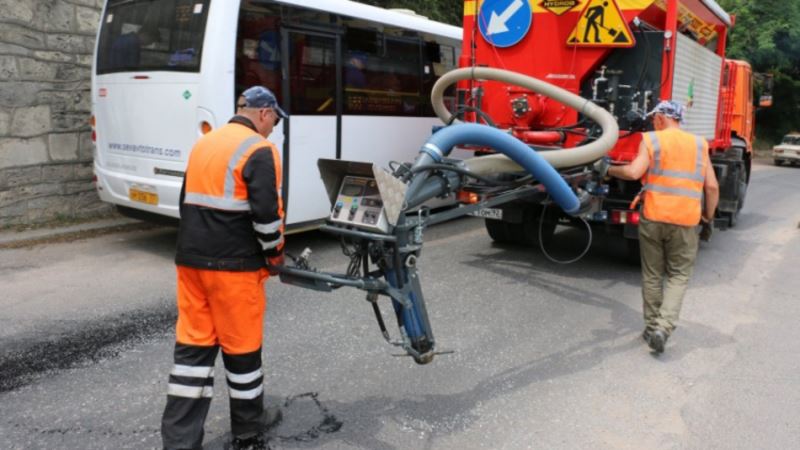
231,208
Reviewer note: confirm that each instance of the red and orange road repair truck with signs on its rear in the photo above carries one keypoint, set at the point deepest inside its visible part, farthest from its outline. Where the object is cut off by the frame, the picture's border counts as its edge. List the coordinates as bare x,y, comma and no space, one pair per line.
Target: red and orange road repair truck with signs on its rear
626,56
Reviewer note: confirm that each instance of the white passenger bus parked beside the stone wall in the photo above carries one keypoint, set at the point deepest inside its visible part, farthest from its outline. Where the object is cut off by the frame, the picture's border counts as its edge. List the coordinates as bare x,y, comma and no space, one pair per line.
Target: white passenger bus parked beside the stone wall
355,80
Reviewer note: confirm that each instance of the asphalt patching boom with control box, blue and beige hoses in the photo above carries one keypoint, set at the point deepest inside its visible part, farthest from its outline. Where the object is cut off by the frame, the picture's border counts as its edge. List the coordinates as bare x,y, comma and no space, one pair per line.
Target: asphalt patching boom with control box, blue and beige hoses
379,215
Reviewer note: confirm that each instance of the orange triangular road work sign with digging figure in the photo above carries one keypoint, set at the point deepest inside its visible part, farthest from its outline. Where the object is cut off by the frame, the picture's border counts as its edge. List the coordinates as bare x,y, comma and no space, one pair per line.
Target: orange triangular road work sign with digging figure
601,25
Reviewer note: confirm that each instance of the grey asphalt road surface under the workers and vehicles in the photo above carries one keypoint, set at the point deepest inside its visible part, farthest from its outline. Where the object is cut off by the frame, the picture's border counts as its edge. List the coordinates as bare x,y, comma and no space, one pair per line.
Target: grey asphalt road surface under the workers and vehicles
545,356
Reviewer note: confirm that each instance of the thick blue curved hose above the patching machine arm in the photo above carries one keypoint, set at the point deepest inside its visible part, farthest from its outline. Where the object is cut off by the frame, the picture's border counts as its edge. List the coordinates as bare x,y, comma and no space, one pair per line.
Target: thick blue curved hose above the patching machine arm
443,141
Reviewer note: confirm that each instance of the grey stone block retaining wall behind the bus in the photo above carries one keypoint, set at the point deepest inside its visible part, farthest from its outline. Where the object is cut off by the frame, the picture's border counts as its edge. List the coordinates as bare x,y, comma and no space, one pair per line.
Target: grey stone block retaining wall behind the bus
45,139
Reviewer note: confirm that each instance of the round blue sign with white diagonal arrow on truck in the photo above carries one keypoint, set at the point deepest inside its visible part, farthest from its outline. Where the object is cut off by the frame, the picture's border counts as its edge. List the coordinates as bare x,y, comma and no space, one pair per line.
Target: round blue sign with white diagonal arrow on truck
504,23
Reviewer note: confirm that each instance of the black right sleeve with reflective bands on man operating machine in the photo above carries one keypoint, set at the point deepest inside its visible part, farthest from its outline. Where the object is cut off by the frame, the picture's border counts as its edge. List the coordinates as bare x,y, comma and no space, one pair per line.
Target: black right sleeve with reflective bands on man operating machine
261,174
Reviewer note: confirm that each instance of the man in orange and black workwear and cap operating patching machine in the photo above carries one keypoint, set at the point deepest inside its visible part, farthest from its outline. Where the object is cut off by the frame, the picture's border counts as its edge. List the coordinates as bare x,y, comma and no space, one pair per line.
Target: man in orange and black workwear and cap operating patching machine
229,241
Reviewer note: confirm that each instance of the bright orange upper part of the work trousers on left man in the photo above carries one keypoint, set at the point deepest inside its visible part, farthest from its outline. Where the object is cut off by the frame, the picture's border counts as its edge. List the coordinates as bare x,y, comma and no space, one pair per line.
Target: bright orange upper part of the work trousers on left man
221,308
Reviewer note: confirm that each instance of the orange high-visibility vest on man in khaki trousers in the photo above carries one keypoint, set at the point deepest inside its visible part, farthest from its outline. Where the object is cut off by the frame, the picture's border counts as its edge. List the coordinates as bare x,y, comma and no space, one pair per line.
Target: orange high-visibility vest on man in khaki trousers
673,185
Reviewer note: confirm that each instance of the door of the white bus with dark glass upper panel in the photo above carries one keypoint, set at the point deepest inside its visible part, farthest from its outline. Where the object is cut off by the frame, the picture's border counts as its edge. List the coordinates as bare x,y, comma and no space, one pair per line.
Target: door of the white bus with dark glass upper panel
311,92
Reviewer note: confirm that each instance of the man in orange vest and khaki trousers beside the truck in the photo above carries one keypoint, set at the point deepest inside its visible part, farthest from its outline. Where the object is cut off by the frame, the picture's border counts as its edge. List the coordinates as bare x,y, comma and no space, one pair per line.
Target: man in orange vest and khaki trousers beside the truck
680,190
